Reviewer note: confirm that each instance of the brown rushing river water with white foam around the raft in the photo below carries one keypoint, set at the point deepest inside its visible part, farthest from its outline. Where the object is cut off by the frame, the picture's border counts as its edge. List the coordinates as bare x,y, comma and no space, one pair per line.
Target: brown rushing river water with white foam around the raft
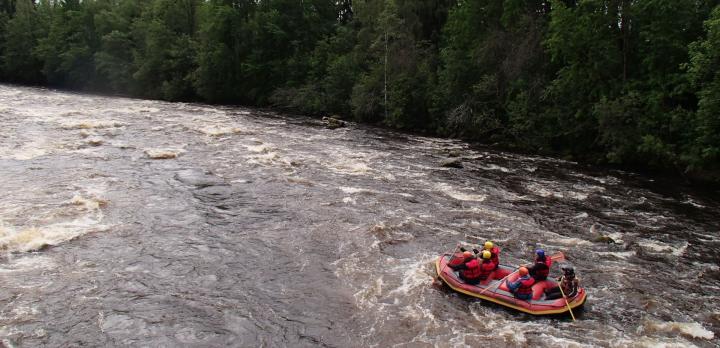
182,224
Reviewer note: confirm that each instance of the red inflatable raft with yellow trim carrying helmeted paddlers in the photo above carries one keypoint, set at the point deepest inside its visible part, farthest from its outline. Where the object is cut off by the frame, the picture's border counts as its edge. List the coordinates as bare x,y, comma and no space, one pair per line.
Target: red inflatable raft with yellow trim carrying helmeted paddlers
490,290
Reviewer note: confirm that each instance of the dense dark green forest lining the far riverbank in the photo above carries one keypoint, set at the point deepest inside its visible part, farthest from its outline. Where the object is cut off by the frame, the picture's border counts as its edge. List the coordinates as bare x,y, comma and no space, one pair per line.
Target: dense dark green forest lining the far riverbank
626,83
